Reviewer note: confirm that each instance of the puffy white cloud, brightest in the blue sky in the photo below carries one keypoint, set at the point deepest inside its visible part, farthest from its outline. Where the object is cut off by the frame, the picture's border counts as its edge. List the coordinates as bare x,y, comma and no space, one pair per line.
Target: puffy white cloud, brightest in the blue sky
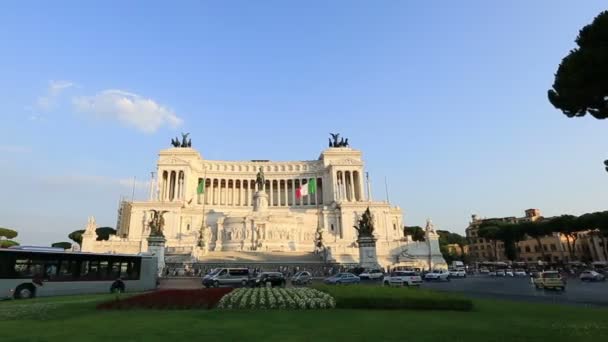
131,109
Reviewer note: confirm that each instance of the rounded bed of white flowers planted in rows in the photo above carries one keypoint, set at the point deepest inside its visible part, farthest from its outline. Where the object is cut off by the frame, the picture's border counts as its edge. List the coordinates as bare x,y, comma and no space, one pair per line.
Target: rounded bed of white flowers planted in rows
277,298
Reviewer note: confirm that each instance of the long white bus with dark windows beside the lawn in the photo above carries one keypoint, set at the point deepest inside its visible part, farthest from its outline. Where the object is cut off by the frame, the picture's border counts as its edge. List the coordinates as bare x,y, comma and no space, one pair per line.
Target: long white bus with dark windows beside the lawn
28,272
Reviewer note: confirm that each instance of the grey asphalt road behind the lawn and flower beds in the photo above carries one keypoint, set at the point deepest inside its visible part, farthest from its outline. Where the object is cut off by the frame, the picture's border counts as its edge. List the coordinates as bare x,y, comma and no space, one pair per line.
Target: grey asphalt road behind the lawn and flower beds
577,292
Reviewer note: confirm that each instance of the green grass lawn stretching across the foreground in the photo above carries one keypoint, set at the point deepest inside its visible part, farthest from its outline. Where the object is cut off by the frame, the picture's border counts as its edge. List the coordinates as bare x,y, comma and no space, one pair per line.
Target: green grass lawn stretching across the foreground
75,319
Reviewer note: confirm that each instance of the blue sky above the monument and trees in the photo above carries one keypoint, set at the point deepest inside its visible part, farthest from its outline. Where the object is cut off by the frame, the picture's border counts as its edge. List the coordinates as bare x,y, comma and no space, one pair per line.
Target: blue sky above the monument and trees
446,99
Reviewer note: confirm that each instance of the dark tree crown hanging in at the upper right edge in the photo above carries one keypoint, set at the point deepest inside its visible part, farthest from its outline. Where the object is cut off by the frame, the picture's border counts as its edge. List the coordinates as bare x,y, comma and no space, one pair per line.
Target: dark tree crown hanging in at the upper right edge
581,81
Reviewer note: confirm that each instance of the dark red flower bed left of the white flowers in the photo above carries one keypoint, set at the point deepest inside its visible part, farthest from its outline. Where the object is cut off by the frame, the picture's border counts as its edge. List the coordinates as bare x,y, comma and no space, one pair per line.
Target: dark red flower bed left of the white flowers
170,299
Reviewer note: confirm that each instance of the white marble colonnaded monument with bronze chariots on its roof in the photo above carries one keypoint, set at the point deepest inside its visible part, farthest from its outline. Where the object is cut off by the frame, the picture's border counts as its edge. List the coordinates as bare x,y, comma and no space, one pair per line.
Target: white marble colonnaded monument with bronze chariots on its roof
266,210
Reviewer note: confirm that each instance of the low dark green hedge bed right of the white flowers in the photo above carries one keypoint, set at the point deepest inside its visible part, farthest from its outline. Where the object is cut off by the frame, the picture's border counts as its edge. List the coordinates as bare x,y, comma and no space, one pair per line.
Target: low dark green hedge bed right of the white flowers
395,298
